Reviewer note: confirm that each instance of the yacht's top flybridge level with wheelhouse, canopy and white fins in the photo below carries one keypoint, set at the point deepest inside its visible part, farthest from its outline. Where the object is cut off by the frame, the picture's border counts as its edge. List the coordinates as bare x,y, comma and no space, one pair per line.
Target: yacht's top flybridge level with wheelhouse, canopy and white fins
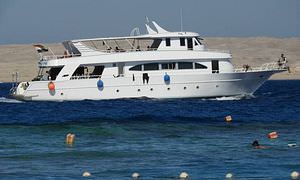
158,39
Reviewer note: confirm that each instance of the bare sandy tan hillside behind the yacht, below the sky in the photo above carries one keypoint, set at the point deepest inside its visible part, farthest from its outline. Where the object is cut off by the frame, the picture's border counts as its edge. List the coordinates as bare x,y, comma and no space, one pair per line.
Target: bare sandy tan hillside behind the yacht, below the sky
252,51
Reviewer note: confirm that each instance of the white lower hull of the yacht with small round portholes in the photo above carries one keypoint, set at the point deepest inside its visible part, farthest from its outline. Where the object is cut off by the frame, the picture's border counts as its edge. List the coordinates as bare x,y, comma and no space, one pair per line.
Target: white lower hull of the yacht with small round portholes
181,86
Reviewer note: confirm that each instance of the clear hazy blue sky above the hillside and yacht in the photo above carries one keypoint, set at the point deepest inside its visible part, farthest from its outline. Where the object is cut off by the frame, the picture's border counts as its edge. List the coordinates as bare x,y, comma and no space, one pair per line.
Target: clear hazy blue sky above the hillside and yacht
46,21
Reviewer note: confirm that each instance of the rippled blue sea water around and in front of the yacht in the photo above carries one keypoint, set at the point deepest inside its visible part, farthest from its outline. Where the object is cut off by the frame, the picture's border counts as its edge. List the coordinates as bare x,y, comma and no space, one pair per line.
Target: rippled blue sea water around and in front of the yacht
156,138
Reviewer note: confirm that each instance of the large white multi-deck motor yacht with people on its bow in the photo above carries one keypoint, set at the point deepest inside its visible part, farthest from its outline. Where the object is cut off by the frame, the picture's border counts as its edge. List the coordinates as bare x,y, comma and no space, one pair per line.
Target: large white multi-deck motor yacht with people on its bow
159,64
